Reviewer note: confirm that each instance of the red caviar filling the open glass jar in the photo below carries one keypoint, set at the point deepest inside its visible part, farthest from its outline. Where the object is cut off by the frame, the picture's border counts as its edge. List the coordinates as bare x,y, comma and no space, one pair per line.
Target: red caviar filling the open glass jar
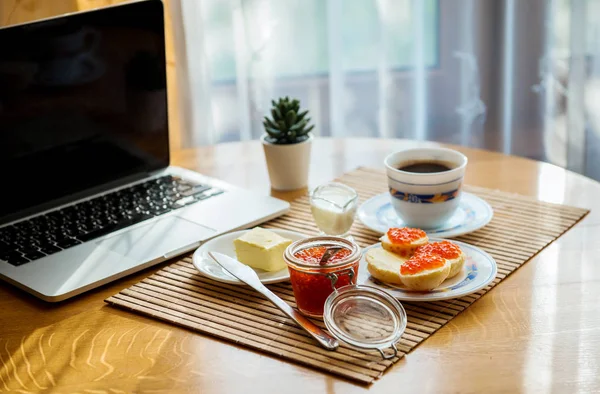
310,282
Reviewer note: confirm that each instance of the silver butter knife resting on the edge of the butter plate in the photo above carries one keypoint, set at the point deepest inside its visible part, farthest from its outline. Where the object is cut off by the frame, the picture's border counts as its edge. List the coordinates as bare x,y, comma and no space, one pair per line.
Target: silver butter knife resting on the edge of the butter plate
249,277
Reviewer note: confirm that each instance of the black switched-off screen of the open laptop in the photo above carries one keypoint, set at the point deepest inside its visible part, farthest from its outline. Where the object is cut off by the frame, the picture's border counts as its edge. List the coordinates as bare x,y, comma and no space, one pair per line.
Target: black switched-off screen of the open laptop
83,103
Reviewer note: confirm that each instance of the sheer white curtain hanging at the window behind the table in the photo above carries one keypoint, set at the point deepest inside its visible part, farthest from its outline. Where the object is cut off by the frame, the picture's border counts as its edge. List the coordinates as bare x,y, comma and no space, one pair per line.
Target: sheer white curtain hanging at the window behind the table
519,77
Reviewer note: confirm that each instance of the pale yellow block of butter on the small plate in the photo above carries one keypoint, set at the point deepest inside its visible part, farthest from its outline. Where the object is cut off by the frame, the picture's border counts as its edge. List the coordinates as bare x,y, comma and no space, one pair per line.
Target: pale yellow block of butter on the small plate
262,249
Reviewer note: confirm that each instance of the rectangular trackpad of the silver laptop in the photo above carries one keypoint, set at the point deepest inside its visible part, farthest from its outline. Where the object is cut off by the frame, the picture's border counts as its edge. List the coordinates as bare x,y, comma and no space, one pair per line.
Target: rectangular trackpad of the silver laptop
156,239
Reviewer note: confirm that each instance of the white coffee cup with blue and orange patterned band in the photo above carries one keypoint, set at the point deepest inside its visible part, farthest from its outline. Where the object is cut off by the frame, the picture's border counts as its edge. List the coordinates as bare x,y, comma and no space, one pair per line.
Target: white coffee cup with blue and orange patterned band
425,200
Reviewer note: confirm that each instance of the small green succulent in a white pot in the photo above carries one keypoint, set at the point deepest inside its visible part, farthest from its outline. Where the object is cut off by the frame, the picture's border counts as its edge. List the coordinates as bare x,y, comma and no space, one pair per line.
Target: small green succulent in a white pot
286,142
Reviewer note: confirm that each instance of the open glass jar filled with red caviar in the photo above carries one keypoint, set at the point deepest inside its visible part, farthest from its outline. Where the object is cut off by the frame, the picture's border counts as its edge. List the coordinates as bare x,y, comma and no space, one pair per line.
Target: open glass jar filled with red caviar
314,281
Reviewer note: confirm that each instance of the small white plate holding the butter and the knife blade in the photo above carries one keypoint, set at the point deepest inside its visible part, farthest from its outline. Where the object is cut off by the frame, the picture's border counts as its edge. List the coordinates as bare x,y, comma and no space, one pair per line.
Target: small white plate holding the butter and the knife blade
224,244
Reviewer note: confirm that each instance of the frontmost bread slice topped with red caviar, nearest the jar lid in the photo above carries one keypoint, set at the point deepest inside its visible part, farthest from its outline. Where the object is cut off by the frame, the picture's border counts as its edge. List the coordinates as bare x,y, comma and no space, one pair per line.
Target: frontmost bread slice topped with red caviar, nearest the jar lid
424,279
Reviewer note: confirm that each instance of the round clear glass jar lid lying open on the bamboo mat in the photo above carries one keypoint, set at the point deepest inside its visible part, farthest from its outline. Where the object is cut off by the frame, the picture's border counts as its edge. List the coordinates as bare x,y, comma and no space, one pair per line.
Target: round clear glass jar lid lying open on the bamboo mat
365,317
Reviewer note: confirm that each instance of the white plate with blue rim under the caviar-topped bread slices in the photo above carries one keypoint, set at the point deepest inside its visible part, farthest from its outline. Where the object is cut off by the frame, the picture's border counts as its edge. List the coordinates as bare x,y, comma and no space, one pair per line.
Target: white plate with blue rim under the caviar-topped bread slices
479,270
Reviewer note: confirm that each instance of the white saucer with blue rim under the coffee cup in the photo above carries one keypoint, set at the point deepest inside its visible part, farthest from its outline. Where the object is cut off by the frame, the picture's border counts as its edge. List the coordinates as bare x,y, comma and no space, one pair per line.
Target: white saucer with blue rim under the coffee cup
472,214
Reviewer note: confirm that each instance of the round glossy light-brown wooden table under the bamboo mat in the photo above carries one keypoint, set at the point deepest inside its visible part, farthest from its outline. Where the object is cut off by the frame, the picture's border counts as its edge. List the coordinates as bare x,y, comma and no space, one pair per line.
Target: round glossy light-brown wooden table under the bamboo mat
539,330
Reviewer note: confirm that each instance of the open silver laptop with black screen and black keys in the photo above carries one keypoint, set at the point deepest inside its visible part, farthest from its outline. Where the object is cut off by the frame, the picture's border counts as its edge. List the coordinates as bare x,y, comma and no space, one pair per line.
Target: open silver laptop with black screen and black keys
88,195
